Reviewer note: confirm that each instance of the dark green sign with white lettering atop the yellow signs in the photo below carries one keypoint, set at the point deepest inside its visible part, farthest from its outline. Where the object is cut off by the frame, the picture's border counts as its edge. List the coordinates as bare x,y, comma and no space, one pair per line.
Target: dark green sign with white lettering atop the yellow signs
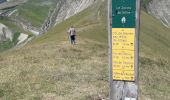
123,13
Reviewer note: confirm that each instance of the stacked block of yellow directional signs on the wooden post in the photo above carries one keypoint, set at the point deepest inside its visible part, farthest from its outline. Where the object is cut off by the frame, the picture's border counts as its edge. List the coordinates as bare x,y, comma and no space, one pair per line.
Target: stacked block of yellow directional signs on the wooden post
123,53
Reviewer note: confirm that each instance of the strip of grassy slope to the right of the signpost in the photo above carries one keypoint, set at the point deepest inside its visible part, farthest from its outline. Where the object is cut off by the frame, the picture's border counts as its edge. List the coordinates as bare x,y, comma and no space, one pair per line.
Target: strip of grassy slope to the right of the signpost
154,59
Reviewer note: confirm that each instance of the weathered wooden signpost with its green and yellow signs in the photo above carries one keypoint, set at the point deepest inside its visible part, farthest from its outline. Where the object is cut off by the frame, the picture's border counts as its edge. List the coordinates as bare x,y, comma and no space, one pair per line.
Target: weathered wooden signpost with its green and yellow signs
123,27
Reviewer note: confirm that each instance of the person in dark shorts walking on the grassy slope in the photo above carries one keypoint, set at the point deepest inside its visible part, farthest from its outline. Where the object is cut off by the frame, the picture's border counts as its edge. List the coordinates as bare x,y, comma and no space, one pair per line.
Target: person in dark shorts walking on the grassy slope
72,35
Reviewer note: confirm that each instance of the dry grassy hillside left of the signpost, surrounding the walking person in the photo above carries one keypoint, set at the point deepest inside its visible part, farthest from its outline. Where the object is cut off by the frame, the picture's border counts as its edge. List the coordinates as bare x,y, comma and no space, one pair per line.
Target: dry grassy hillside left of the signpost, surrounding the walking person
50,67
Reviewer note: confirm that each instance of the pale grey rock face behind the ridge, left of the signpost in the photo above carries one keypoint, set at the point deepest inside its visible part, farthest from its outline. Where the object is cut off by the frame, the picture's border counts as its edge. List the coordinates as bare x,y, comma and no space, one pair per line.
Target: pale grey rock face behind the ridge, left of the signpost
63,10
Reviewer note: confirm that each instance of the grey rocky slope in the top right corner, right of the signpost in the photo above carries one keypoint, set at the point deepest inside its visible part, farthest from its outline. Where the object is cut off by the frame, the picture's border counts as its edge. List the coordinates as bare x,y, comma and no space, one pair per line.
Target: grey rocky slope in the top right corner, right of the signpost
161,10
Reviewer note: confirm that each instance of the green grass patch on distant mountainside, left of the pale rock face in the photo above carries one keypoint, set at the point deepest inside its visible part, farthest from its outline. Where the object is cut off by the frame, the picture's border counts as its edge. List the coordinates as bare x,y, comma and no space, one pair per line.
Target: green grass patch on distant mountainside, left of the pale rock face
34,12
